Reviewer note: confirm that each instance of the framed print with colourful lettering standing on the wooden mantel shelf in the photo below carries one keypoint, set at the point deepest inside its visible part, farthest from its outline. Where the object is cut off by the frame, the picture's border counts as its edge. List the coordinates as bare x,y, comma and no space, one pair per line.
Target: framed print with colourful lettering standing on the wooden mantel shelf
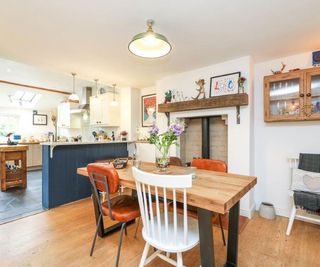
226,84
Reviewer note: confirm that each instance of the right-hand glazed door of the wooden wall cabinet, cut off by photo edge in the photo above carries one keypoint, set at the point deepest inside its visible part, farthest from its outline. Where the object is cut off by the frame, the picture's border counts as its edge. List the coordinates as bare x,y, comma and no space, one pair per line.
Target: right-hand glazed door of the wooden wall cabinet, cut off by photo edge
313,95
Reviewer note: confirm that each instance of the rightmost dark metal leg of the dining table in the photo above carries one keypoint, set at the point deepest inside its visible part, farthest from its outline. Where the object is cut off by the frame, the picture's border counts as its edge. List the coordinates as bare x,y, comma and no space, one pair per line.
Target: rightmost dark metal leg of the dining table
233,236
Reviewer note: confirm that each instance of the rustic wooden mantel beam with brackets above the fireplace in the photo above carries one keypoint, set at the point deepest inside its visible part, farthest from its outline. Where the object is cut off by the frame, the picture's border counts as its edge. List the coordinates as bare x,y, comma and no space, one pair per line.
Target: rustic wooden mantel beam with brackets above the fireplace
235,100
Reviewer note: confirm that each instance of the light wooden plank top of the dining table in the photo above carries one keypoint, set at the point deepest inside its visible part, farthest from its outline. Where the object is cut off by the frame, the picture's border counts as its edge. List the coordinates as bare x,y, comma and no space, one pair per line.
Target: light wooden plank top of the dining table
215,191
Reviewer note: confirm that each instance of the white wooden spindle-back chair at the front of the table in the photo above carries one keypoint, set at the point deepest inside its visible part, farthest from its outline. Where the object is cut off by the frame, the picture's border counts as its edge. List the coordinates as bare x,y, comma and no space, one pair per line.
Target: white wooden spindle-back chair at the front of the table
166,231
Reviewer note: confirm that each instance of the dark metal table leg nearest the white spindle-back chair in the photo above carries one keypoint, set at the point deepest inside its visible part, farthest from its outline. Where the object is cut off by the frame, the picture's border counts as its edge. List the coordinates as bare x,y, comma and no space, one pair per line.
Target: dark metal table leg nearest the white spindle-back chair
206,237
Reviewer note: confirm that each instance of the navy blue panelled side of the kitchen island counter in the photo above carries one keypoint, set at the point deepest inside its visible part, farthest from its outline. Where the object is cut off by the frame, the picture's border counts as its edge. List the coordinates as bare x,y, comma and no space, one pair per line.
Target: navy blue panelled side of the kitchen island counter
60,182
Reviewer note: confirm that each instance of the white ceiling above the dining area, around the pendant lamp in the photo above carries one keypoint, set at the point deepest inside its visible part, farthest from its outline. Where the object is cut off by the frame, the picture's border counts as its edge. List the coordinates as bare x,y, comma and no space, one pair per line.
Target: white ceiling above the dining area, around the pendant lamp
91,37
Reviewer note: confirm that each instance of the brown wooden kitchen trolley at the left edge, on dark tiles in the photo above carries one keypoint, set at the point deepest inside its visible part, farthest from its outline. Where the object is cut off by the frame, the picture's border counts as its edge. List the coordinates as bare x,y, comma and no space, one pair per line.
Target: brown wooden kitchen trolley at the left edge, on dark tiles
13,177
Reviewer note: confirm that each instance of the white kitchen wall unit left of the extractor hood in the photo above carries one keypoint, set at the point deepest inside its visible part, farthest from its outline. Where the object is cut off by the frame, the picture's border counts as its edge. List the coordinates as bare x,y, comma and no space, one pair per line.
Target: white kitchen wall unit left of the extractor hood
67,119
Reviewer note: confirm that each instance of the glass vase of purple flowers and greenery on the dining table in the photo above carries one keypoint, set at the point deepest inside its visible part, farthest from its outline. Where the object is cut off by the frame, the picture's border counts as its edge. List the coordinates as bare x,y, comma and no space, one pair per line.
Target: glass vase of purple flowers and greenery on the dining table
163,142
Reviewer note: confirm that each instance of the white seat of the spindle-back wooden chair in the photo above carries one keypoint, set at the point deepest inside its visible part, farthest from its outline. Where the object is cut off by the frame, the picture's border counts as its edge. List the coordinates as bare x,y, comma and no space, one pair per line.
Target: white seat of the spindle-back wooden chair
166,241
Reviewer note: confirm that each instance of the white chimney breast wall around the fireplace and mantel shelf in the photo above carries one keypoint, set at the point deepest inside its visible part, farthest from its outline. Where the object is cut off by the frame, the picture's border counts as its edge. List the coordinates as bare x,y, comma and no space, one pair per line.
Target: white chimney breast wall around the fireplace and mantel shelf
239,135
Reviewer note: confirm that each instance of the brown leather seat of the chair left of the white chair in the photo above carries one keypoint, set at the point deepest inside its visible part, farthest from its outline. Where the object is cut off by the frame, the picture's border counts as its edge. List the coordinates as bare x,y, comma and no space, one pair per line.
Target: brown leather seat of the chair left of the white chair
124,208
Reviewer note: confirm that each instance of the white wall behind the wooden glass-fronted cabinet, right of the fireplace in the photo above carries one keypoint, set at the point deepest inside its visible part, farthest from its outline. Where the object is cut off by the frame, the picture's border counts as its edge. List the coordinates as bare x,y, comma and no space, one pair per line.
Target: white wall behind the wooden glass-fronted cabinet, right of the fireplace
275,142
